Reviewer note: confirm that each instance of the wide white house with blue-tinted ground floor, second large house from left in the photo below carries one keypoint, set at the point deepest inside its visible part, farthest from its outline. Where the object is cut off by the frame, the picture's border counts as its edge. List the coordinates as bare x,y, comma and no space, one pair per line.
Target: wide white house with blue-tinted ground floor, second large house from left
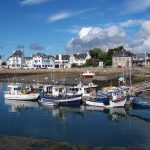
44,61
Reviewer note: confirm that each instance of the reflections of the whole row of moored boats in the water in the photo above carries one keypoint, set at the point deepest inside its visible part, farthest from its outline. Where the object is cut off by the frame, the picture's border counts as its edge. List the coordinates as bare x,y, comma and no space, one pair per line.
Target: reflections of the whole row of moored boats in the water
114,114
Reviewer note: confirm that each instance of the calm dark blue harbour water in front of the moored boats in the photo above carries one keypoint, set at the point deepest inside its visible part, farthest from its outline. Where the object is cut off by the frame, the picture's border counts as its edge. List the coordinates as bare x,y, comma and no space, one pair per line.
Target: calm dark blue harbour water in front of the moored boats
86,125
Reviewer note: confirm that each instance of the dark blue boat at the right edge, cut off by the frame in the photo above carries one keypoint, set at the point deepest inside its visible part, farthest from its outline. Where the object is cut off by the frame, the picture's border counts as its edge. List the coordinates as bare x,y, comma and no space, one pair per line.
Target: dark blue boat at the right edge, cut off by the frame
140,103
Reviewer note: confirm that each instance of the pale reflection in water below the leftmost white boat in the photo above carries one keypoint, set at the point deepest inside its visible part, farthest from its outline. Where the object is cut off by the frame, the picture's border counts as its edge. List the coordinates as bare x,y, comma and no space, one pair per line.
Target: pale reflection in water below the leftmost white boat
16,106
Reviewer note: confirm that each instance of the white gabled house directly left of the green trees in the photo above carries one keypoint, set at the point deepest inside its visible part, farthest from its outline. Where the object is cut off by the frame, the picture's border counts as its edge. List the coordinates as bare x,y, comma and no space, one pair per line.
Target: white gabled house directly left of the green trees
79,59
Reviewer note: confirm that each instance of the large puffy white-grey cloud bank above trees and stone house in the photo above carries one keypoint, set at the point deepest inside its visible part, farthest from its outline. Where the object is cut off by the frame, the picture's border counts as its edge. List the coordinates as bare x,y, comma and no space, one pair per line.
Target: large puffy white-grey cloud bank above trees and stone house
110,37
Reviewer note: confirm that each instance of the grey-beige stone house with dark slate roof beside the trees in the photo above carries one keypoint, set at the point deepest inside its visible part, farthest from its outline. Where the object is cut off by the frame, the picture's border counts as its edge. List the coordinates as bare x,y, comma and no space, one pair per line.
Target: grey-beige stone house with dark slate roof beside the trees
122,58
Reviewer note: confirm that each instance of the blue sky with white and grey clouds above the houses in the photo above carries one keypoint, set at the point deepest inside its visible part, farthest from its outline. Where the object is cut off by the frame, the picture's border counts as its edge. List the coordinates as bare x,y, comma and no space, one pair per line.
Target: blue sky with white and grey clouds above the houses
70,26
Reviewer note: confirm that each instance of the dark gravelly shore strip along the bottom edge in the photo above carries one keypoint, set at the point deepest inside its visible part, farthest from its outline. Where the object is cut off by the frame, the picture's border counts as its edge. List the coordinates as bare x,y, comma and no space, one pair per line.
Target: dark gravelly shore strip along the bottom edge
21,143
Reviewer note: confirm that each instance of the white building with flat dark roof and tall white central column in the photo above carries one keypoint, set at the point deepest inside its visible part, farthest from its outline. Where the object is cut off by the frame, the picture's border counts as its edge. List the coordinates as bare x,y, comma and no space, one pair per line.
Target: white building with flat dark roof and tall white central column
62,61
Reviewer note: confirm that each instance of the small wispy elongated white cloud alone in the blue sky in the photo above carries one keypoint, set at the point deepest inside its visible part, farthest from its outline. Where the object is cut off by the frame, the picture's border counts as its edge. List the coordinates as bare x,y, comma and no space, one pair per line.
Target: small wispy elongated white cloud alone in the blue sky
59,16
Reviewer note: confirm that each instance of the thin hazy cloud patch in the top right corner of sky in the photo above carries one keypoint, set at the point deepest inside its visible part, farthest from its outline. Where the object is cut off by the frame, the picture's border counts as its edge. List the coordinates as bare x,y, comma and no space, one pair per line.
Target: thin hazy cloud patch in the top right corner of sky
136,6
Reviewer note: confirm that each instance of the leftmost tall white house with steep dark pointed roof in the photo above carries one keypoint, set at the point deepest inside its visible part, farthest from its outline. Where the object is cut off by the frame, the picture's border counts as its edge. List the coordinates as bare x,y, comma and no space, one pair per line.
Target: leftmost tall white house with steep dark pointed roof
16,60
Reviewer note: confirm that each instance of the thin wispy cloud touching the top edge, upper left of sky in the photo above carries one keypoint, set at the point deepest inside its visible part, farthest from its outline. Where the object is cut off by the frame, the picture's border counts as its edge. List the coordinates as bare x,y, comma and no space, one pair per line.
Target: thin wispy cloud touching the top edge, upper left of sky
31,2
